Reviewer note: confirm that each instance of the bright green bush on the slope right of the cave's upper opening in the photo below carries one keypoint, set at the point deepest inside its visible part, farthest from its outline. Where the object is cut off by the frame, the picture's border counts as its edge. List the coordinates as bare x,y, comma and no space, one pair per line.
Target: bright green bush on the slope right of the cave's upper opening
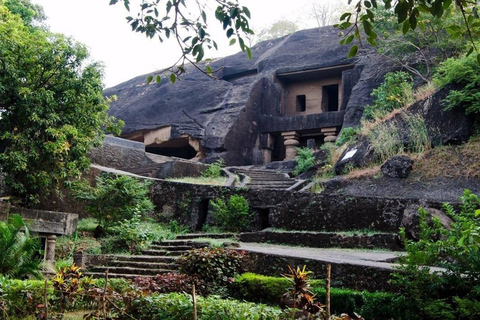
394,93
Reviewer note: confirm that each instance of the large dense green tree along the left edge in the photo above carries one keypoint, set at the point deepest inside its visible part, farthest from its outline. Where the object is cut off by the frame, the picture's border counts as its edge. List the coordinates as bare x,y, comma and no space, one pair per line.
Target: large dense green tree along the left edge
52,108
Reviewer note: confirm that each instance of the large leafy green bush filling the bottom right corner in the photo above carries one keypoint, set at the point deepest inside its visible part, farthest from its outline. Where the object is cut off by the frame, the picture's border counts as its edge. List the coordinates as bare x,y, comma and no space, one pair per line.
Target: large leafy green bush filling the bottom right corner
451,293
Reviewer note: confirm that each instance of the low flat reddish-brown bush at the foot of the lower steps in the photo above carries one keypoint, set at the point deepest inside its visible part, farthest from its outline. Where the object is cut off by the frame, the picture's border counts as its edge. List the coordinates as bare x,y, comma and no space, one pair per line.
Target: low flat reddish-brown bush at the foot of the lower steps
171,282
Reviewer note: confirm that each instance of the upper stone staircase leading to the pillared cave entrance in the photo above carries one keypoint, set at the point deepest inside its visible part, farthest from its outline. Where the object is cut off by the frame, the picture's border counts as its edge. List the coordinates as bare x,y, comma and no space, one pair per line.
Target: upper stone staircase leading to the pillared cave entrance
267,179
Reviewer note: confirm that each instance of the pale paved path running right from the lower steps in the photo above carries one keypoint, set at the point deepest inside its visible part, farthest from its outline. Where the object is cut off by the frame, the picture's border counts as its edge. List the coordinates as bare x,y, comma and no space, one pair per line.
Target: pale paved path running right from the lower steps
370,258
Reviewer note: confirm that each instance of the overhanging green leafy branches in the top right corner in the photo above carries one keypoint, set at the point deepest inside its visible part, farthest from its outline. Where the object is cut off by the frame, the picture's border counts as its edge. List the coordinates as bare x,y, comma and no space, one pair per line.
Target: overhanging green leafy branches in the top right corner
408,14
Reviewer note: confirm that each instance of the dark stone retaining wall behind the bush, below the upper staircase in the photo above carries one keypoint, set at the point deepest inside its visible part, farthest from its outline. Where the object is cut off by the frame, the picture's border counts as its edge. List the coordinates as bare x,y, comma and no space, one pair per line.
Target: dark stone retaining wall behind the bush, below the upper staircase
287,210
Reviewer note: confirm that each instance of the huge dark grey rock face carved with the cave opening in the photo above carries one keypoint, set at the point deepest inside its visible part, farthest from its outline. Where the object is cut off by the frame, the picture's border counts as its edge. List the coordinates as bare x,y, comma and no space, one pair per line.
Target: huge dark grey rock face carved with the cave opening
229,115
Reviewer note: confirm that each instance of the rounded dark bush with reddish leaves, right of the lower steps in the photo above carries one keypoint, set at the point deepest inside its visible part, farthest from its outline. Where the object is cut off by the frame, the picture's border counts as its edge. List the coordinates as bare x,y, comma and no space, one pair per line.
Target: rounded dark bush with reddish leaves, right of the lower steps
216,267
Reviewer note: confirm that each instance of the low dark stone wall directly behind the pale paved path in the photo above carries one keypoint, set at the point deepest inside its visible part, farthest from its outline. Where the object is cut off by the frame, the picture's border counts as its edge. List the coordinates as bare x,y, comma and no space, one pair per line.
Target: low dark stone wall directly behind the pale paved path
326,239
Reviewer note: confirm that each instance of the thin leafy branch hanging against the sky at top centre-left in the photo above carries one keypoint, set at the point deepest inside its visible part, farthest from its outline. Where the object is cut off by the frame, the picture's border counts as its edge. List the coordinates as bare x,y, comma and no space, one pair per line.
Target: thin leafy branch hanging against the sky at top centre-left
189,29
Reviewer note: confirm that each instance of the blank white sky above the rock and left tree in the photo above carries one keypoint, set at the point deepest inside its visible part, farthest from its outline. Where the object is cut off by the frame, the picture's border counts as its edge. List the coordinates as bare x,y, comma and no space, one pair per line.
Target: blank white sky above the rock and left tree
126,54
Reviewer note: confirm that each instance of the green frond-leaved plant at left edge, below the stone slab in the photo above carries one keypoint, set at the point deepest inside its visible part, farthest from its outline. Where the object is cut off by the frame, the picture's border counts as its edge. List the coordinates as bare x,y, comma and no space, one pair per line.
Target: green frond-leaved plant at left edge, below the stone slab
19,256
